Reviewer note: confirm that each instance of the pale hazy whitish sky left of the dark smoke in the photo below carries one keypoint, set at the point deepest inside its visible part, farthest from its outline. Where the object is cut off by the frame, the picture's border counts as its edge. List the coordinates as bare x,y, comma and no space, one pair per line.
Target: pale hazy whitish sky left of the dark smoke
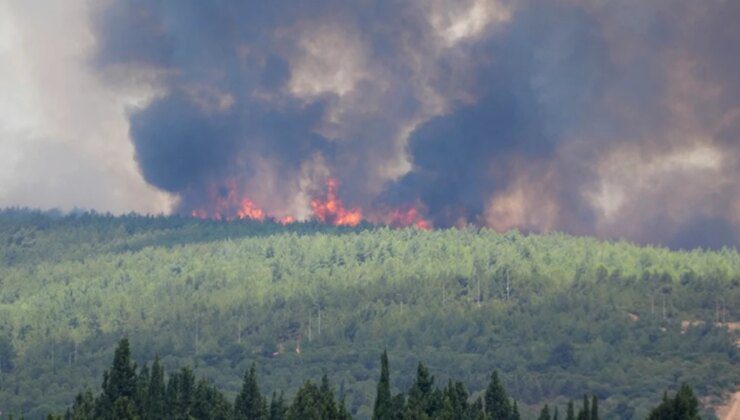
63,131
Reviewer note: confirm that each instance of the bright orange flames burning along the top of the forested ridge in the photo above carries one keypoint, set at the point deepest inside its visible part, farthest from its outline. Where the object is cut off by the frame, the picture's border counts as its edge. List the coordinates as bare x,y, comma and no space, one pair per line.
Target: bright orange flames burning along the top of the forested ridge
225,204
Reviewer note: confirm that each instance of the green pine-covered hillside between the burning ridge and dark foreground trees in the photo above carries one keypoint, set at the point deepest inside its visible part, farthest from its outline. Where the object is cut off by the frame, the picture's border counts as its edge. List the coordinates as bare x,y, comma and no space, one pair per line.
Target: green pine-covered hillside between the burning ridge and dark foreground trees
556,316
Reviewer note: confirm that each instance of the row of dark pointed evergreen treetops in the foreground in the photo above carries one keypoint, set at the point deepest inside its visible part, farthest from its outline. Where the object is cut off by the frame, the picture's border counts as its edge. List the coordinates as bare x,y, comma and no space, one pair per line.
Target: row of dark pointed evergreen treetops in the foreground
130,393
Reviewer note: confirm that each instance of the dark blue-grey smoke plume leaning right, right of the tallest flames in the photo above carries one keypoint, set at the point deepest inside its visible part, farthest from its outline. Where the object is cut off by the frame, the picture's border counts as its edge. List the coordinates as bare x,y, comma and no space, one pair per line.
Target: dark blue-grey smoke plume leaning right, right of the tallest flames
538,80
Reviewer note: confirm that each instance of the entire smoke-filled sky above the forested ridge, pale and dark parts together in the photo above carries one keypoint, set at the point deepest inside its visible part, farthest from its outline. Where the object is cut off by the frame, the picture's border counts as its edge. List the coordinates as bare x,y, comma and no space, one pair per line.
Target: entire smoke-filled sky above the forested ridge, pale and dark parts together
619,119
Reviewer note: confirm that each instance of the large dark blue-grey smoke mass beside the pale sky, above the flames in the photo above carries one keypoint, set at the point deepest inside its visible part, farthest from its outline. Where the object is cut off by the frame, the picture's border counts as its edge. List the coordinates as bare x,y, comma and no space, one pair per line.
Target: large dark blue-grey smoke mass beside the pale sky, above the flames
225,68
